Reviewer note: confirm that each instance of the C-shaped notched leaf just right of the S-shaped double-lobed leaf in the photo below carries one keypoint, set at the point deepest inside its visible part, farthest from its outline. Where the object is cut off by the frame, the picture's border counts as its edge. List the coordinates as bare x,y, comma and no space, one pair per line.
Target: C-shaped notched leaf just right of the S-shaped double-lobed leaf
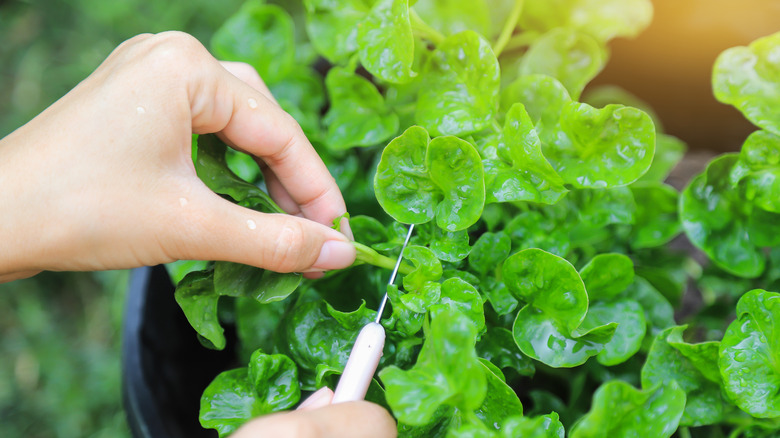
630,331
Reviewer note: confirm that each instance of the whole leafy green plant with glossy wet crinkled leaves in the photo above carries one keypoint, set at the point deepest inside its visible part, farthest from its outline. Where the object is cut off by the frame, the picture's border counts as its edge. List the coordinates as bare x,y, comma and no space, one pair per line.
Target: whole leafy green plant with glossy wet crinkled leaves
537,296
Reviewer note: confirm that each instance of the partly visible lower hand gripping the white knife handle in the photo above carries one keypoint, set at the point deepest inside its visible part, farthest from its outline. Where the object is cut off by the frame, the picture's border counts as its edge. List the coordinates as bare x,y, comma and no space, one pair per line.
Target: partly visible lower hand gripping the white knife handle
317,418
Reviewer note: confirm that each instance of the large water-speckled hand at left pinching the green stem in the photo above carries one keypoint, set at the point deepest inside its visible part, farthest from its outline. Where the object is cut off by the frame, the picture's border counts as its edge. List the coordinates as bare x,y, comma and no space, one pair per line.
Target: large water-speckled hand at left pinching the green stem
103,179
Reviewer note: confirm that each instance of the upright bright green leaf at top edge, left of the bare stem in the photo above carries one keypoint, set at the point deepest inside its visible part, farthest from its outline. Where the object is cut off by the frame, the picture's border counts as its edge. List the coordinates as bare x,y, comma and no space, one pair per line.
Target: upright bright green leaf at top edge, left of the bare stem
386,43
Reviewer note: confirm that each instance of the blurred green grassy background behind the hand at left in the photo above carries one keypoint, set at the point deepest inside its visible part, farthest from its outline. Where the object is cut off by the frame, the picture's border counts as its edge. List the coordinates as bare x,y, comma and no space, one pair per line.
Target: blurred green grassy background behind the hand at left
59,332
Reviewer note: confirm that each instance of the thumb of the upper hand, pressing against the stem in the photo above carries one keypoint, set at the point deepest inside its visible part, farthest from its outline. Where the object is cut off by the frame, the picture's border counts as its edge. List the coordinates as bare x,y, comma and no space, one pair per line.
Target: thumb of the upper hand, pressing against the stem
217,229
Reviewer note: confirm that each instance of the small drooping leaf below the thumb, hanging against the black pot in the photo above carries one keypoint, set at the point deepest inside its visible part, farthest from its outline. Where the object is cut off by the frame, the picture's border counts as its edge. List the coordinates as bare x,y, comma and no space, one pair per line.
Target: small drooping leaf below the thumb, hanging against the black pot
198,300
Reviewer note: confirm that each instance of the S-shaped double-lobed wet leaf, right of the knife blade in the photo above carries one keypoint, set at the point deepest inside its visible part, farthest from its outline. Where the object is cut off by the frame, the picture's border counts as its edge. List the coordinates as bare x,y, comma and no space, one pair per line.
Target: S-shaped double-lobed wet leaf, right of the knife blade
547,329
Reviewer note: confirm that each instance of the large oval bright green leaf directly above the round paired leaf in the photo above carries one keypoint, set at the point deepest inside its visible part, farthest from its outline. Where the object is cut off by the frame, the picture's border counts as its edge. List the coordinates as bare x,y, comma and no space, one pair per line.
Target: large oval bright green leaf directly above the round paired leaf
459,93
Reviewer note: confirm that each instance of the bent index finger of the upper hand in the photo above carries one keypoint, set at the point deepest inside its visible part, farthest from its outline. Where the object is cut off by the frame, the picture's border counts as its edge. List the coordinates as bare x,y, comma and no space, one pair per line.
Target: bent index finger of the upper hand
220,102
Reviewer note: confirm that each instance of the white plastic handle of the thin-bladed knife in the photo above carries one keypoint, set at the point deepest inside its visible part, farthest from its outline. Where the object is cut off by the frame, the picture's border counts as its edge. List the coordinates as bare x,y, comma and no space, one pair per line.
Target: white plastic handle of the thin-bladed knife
361,365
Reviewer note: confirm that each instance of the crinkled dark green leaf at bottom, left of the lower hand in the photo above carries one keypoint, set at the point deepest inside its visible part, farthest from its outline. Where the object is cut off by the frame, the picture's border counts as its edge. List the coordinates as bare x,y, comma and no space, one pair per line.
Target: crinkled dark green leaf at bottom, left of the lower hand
268,384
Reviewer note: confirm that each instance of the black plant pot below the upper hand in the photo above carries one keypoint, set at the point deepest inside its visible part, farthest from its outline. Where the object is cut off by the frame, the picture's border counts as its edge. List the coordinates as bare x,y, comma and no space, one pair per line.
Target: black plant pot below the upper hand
164,367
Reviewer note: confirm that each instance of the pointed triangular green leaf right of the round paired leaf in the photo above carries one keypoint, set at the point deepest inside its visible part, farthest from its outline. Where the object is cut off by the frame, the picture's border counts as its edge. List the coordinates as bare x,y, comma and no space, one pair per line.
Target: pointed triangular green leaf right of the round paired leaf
520,172
